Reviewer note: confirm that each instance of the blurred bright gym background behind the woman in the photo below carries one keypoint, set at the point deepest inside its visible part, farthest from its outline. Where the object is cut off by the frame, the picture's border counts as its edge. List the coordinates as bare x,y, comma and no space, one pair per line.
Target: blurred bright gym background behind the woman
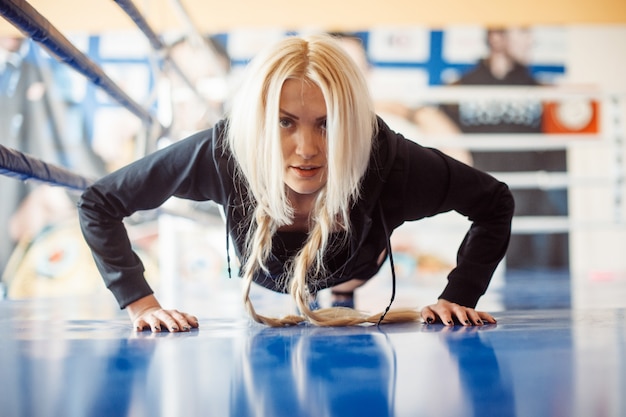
532,92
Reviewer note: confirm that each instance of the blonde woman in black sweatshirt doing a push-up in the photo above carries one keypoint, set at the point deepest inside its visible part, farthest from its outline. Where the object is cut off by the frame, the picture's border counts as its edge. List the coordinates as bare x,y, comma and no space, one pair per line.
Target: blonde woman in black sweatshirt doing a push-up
312,183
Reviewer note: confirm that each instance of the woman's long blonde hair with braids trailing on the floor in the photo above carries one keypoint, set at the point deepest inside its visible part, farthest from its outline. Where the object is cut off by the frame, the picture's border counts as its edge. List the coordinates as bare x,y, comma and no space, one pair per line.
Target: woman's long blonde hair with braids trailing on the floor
254,140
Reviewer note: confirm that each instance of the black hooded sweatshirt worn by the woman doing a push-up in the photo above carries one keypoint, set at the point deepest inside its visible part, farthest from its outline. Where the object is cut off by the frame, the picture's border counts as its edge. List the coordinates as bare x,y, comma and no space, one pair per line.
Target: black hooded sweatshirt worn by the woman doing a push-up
404,182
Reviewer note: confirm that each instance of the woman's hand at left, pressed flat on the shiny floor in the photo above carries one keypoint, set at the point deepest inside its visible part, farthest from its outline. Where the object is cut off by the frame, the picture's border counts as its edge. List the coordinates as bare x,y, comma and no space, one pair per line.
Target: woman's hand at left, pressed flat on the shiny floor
147,312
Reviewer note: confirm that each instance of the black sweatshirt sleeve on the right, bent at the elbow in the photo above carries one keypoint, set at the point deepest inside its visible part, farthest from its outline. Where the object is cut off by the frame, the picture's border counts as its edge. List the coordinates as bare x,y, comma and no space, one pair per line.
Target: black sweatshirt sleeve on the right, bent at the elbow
436,184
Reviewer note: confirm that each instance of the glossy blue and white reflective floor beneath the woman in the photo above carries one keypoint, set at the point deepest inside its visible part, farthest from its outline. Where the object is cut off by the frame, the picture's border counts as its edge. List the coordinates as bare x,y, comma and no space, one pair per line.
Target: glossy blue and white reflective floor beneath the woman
76,357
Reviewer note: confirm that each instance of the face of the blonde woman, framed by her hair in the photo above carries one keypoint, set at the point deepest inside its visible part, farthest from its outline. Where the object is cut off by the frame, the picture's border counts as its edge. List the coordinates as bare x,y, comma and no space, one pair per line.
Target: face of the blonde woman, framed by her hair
303,136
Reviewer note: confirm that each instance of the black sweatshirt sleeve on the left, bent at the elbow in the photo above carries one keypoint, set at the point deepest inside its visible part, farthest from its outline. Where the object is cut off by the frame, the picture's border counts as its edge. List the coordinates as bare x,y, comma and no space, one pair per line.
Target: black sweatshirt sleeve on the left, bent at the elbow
188,169
